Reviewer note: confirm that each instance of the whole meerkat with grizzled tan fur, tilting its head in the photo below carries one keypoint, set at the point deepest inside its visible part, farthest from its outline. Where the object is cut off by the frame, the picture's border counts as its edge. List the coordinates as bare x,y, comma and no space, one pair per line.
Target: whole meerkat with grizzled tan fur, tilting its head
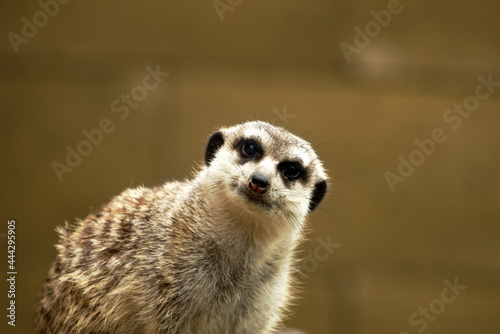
209,255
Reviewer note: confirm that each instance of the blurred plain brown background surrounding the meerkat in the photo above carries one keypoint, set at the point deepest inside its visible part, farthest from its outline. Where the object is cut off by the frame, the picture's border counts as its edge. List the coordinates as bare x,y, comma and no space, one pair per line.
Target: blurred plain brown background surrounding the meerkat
394,249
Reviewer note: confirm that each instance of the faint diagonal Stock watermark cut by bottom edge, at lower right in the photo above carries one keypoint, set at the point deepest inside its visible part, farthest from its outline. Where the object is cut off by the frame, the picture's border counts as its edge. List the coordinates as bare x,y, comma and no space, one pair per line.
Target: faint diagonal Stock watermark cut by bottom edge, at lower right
436,307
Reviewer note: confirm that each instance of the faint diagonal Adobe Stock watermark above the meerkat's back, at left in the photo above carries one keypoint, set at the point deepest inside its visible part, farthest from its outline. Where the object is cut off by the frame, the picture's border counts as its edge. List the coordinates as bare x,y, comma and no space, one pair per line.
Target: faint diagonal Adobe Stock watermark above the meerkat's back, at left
121,107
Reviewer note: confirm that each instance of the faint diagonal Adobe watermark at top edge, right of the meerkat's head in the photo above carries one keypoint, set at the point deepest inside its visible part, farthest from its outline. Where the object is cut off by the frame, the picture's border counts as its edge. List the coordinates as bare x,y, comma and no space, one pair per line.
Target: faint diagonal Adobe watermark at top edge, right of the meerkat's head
363,37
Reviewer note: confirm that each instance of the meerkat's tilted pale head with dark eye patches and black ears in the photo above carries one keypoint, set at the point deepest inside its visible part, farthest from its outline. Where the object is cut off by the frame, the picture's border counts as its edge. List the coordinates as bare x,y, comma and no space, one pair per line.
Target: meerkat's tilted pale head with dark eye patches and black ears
265,169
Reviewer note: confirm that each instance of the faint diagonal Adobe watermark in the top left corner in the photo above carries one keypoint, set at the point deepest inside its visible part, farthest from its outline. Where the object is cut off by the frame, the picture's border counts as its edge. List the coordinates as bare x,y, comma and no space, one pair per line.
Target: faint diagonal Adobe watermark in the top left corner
30,28
